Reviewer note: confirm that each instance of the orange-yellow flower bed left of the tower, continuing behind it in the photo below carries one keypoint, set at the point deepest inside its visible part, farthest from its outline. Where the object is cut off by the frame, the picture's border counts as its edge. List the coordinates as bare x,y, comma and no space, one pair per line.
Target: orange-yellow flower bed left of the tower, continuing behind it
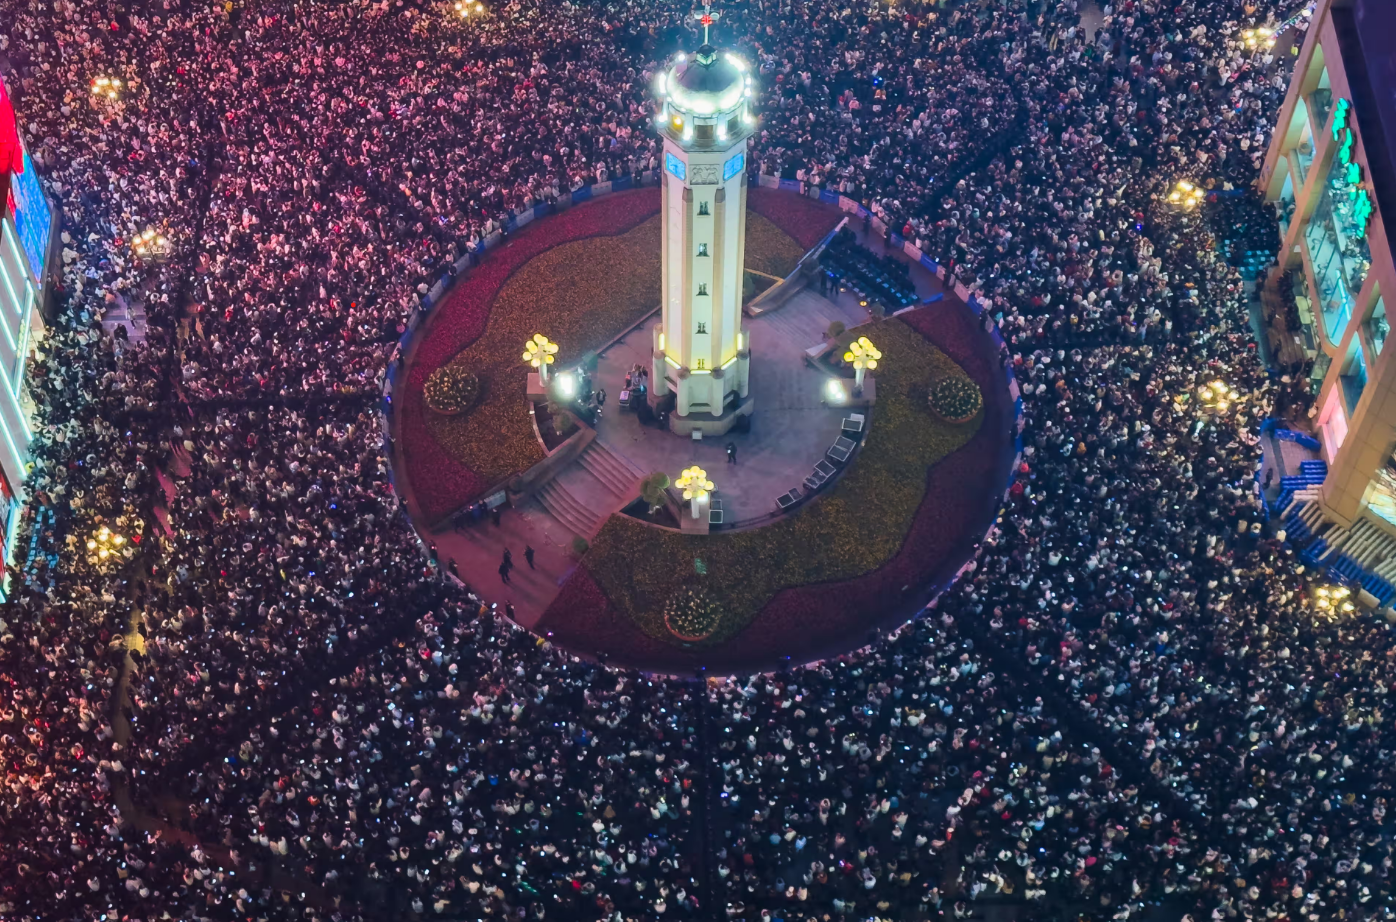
581,295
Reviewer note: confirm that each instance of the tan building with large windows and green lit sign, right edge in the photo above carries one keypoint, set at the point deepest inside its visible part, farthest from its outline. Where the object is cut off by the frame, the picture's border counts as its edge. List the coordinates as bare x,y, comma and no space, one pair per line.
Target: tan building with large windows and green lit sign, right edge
1332,178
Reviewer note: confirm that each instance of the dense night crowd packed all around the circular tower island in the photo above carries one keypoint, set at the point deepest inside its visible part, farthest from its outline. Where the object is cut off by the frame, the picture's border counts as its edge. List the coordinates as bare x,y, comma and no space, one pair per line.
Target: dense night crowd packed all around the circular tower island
1129,702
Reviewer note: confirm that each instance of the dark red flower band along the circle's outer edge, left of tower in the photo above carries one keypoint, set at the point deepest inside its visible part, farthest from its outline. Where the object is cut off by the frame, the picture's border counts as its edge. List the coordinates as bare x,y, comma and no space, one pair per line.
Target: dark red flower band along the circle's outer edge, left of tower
438,483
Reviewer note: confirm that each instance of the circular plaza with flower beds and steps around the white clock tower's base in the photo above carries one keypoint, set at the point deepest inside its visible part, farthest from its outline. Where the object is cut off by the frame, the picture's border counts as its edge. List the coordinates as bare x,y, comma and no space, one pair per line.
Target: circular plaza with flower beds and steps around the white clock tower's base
833,509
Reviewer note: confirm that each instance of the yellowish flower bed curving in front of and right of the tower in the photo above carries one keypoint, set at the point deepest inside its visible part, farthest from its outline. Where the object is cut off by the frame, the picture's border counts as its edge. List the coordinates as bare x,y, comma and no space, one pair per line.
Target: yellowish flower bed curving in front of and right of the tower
854,529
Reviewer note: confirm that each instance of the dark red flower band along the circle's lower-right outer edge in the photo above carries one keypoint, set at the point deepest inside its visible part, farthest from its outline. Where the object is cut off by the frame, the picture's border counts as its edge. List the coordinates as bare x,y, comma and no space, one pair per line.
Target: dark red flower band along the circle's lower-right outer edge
819,621
